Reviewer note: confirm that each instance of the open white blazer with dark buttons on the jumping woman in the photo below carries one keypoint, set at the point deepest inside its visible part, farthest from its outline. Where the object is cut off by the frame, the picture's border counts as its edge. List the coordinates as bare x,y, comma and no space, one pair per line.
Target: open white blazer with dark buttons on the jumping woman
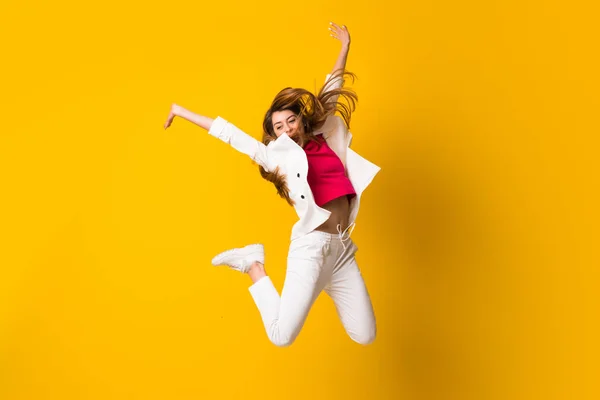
286,154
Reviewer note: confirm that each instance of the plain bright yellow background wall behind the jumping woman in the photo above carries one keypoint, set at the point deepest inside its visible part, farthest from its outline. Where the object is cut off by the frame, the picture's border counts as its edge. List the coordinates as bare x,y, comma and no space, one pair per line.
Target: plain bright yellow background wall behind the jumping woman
478,239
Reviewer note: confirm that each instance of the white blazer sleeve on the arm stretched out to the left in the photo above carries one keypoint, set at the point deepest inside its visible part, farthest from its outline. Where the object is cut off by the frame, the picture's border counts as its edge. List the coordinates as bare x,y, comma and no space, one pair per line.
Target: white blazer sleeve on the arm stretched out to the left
241,141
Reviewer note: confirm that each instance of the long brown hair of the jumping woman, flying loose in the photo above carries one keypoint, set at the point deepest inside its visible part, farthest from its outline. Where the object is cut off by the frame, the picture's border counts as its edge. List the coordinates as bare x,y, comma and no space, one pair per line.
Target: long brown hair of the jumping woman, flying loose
312,111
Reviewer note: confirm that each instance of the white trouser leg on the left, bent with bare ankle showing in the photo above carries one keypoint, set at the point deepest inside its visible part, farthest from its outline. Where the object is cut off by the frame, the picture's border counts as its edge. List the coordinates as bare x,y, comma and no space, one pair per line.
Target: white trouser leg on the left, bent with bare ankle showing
284,316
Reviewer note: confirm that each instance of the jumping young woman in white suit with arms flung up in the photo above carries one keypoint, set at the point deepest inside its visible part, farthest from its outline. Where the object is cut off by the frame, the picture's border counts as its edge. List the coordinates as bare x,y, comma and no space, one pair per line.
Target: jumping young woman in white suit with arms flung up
305,153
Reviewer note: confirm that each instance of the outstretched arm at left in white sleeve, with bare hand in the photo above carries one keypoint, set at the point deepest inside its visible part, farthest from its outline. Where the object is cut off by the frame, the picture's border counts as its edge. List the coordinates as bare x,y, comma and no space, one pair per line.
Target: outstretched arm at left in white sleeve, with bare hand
227,132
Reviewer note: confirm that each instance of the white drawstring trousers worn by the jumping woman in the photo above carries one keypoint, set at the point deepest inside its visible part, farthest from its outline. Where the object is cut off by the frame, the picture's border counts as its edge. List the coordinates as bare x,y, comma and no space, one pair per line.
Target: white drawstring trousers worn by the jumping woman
317,261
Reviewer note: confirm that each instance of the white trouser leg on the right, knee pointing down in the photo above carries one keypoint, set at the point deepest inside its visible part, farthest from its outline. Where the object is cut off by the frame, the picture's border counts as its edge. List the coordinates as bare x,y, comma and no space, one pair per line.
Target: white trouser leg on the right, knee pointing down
352,301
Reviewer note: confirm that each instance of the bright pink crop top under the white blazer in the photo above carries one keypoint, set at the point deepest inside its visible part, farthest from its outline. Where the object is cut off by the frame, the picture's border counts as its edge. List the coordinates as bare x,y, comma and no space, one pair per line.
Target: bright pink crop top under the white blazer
326,174
